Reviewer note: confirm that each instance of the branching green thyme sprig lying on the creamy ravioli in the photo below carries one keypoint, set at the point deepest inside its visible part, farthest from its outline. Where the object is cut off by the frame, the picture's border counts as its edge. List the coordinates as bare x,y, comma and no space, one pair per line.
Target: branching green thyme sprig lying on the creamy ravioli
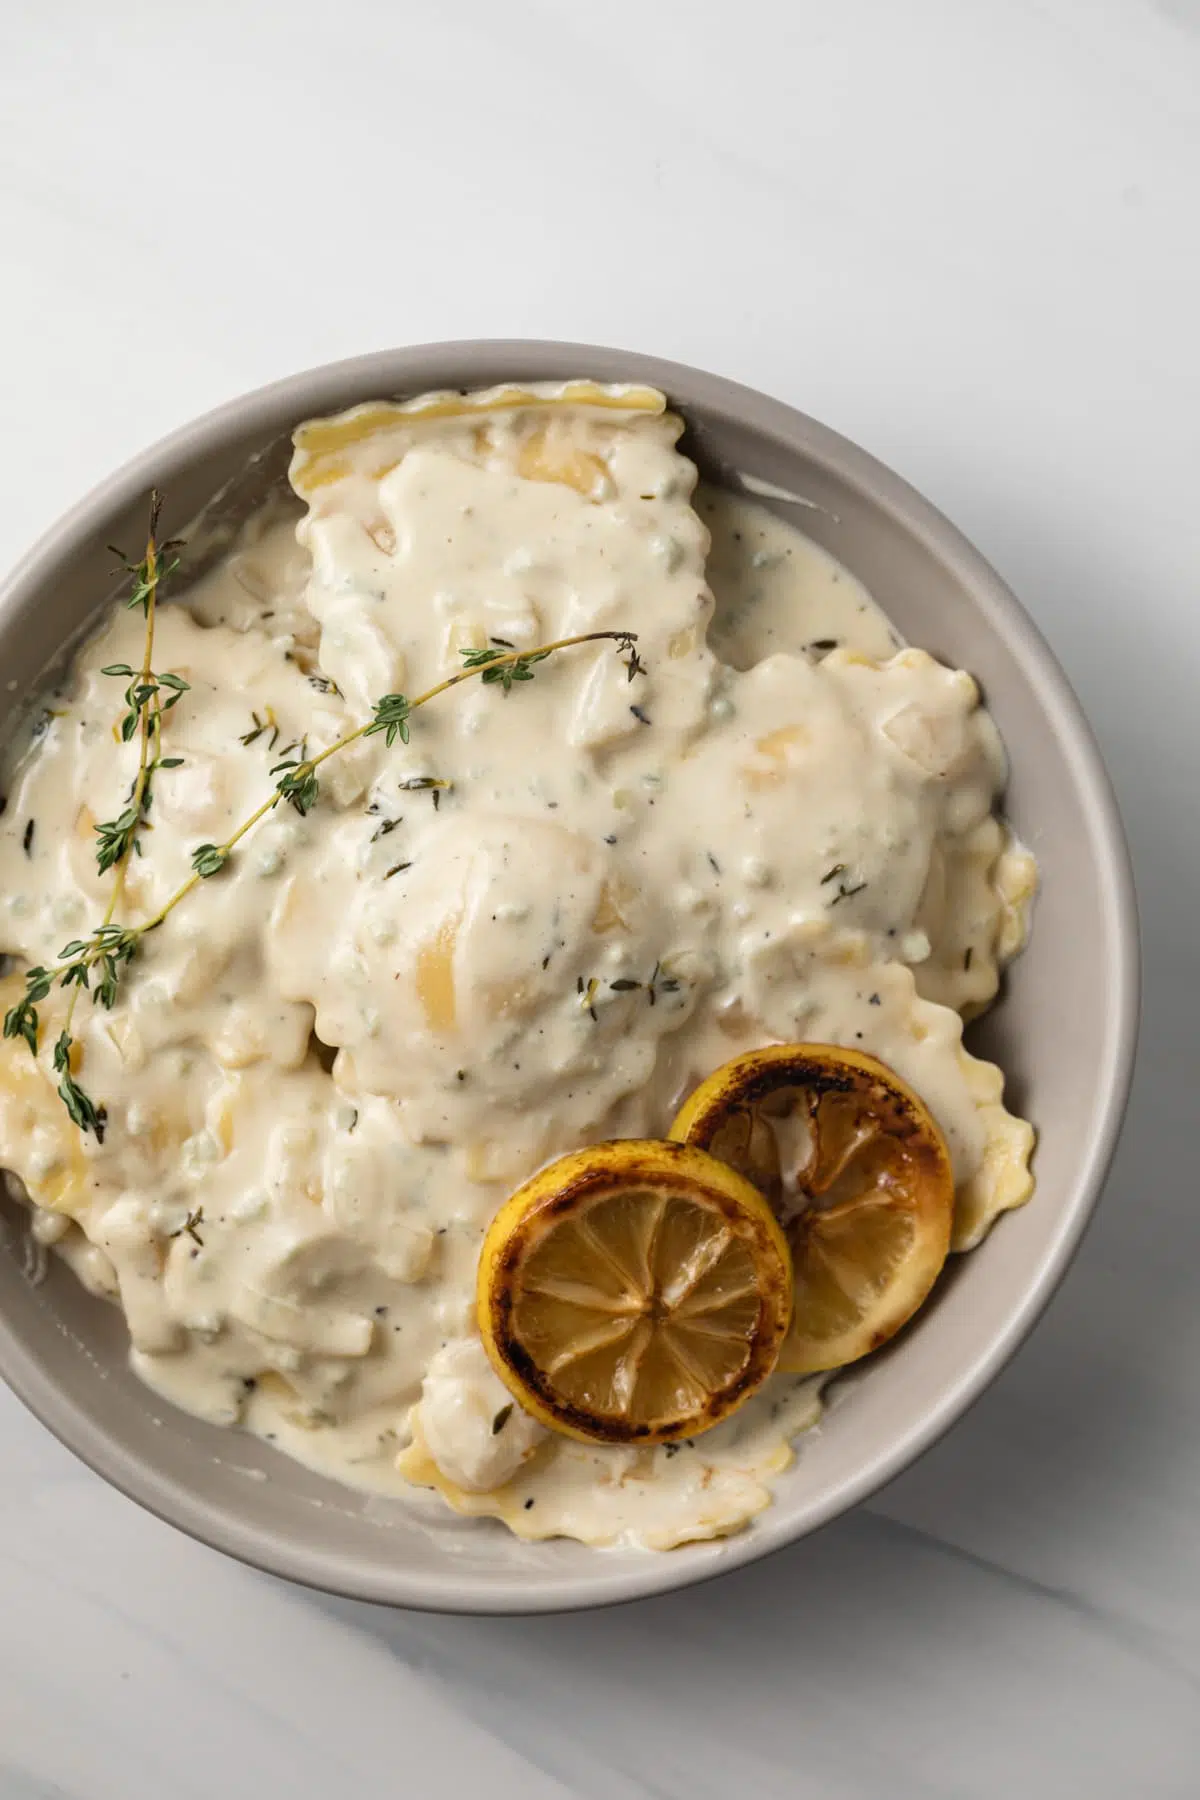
102,960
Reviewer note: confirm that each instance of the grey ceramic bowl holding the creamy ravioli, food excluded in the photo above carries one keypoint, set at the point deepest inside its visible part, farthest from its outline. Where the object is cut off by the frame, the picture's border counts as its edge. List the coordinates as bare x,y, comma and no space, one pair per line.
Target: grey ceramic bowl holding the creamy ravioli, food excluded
1064,1032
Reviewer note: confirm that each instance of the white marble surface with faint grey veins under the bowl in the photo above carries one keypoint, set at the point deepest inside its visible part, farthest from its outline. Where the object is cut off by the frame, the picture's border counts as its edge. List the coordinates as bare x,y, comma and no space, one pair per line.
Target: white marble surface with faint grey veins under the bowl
965,233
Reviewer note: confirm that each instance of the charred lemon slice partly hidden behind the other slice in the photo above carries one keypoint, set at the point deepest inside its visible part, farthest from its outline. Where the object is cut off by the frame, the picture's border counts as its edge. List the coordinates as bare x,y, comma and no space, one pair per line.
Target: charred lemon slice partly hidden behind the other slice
859,1174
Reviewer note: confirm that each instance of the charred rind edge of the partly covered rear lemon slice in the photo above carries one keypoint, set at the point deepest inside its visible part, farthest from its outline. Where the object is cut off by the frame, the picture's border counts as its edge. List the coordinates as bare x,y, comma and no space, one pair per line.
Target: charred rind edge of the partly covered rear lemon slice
830,1068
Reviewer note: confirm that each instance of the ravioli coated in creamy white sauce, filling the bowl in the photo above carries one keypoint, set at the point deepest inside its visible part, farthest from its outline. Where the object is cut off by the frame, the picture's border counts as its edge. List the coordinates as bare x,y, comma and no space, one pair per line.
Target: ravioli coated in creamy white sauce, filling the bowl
328,1068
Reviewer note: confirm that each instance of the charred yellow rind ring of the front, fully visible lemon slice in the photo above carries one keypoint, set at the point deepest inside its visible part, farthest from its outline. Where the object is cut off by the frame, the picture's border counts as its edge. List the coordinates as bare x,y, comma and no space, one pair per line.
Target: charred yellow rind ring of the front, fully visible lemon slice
587,1176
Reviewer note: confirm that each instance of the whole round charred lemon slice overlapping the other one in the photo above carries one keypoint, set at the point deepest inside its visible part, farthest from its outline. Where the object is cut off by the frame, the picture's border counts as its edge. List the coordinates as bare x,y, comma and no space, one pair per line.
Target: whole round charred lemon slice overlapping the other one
634,1293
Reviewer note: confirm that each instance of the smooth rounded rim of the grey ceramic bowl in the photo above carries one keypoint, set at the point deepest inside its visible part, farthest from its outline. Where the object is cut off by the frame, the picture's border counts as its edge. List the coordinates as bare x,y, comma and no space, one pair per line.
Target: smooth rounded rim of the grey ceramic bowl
327,386
